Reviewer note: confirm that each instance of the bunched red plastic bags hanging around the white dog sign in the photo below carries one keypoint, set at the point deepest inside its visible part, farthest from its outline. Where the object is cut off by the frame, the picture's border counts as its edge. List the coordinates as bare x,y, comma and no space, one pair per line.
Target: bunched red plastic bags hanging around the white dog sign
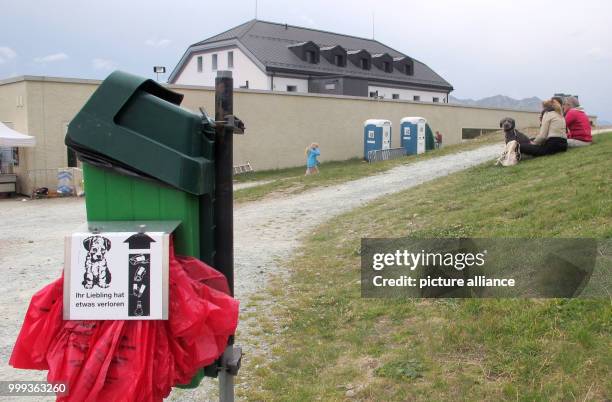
131,360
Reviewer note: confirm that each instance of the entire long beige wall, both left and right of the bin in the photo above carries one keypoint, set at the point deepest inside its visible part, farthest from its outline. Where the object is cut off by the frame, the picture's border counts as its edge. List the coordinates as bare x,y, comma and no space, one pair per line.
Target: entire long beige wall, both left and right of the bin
279,125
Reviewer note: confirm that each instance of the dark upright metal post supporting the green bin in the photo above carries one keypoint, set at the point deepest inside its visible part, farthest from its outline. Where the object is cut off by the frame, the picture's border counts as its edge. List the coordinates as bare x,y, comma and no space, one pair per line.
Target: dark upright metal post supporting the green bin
224,212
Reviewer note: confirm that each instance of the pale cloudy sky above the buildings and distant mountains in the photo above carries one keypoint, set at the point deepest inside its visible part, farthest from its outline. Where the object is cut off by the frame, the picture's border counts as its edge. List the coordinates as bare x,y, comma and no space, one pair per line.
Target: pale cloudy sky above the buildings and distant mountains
483,48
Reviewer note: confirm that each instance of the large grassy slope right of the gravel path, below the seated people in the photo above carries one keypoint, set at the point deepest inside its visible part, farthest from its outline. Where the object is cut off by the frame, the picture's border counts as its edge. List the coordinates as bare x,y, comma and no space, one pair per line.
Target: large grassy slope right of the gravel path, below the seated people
333,345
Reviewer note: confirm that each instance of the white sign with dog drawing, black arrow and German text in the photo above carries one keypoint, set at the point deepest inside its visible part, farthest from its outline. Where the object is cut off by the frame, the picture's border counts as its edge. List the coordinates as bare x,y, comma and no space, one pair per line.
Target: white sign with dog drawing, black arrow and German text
116,276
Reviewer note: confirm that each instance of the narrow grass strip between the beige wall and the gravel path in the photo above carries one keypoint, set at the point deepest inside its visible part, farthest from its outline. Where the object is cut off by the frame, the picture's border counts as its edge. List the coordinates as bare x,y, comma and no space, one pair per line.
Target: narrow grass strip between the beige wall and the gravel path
293,181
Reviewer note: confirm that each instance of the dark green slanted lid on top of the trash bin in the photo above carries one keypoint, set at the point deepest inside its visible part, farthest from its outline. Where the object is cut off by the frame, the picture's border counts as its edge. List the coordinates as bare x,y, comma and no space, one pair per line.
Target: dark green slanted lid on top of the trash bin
134,143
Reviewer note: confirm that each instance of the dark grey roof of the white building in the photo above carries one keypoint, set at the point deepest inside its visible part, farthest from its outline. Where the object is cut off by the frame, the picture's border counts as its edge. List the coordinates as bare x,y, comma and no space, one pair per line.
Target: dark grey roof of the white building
269,43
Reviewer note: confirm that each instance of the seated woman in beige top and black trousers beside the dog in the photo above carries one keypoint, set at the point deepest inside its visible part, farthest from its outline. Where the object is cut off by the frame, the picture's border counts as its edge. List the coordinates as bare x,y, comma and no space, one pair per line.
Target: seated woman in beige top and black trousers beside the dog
551,138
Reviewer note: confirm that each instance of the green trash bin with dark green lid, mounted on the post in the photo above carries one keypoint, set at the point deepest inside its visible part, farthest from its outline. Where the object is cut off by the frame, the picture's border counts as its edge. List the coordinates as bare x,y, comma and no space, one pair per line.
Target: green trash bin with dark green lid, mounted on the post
146,158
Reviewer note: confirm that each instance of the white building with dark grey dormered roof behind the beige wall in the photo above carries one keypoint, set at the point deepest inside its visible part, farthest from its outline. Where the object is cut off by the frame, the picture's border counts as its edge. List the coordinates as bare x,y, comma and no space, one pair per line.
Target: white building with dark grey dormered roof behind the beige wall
278,57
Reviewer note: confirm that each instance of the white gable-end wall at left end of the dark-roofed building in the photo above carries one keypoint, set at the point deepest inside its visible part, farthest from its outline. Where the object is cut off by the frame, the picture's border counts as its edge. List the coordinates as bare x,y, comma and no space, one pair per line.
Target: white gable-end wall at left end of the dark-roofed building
244,70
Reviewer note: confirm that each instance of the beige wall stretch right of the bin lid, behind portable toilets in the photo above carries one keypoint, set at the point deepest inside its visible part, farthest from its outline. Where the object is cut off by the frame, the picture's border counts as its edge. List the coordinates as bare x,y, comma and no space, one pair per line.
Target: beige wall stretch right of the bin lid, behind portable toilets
280,125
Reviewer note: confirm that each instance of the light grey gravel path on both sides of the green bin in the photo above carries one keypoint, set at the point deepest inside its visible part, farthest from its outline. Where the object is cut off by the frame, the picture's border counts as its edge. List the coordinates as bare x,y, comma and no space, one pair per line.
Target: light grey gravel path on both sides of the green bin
267,232
